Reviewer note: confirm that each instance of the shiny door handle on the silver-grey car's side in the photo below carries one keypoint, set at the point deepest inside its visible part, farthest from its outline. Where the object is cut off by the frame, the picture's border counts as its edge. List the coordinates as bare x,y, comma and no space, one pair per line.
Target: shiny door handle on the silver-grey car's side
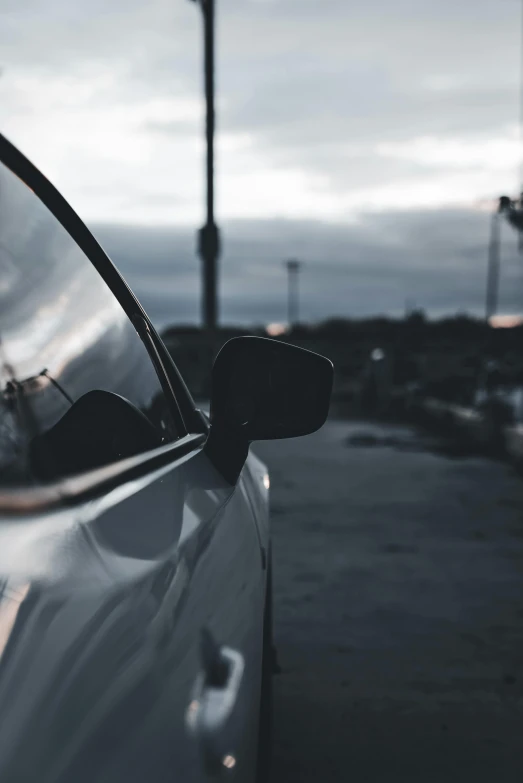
214,698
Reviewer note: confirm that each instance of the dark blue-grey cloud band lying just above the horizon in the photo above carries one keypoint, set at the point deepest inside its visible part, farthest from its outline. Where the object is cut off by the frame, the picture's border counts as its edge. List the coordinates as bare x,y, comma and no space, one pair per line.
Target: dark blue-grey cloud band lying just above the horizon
436,258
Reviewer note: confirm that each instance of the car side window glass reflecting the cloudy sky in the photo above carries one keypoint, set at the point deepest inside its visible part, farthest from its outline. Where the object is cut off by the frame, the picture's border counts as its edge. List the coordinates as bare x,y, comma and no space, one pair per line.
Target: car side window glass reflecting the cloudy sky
78,388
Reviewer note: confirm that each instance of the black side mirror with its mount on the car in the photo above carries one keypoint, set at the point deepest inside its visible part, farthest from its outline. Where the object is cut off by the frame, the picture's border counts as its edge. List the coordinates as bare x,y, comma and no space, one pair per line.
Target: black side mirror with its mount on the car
263,390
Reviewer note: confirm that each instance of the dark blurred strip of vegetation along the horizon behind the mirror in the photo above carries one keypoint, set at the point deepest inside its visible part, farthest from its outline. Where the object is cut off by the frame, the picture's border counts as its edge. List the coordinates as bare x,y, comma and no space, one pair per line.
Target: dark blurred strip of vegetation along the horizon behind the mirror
445,357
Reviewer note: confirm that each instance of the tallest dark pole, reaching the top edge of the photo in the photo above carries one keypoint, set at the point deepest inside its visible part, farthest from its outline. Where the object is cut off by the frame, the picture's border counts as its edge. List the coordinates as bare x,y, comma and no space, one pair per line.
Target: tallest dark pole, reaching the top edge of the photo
208,235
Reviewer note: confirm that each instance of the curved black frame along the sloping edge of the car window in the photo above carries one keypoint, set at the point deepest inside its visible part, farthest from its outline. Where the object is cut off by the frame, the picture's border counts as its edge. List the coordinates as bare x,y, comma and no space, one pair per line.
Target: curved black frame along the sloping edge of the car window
187,418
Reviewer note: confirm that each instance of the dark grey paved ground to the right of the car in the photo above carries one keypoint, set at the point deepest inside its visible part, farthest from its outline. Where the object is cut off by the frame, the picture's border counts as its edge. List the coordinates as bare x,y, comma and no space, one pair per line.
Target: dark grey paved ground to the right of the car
398,611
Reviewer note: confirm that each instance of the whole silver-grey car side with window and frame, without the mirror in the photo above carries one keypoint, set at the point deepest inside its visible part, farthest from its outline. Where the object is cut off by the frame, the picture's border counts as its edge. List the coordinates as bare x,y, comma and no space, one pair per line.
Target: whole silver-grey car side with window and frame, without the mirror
127,562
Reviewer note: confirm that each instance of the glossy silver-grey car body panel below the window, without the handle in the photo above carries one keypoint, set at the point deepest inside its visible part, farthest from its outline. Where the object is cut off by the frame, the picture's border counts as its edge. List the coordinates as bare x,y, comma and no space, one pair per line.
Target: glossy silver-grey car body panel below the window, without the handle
100,622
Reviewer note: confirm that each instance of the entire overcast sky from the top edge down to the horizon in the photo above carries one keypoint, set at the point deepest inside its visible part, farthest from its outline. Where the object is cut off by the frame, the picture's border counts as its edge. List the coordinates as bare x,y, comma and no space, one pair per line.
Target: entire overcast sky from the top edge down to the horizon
365,138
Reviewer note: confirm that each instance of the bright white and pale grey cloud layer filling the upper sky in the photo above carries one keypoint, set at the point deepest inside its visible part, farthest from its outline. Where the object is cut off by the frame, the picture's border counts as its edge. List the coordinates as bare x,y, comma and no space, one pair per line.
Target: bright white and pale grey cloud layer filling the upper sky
323,108
